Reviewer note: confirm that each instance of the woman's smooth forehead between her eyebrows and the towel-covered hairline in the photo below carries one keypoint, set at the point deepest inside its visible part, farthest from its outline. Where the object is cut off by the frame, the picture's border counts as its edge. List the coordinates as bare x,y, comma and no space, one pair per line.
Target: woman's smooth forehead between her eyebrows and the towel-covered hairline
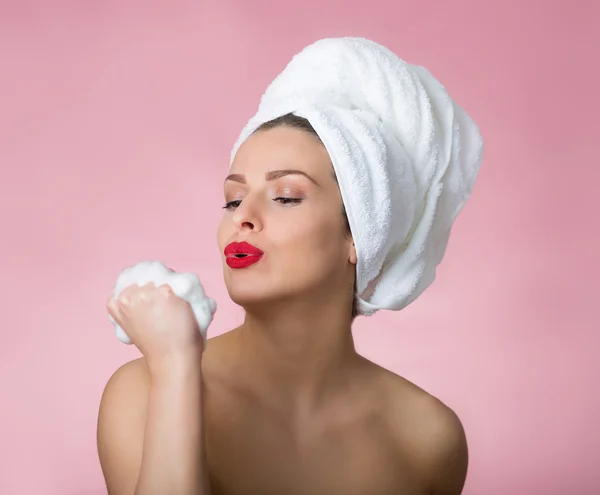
282,147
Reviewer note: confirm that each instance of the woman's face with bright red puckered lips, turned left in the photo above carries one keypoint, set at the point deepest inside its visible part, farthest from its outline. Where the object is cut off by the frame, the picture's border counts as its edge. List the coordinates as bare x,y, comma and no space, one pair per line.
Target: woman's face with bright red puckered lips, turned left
281,197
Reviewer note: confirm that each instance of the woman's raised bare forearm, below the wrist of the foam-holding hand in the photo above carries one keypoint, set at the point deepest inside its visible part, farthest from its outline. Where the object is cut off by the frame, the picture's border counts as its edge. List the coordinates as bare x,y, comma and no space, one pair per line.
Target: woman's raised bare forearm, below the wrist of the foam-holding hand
174,458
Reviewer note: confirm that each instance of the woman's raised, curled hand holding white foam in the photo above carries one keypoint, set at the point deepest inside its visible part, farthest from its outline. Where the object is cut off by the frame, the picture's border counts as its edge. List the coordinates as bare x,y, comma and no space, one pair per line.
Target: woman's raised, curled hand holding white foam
158,322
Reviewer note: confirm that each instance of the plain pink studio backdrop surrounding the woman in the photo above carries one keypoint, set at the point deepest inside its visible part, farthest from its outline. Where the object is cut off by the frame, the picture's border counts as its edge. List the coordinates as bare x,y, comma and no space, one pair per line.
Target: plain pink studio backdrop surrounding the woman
116,123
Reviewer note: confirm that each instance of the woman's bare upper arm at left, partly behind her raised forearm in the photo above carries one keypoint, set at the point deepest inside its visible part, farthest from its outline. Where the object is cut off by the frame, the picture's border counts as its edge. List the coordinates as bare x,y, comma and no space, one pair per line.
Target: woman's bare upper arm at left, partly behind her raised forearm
121,425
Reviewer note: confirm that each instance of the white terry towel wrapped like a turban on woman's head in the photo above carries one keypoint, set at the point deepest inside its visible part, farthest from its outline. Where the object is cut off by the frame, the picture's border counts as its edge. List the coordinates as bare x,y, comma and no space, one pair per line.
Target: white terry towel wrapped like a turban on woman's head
405,155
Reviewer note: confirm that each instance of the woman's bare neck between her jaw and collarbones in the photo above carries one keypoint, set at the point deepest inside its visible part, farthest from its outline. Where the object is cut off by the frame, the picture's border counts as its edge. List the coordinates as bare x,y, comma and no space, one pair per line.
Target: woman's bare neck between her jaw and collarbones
297,352
